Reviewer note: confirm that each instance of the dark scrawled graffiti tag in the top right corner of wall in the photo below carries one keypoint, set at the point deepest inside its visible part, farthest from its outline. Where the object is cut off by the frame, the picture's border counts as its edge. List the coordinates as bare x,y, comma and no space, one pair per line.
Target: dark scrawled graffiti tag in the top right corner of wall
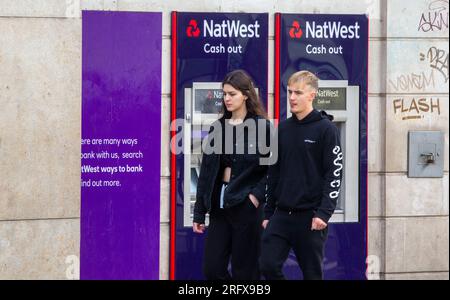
435,18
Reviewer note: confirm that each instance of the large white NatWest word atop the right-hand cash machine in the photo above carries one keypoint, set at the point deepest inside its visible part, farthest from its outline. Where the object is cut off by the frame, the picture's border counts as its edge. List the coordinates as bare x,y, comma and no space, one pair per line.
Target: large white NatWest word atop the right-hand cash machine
330,30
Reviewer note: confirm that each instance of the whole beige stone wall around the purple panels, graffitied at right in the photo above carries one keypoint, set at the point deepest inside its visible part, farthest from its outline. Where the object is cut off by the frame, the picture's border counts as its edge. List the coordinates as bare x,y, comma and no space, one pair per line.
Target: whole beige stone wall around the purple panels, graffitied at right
40,128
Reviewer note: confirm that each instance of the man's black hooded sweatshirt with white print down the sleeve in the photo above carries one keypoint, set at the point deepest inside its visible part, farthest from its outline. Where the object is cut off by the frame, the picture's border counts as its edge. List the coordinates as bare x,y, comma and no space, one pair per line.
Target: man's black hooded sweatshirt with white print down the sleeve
308,172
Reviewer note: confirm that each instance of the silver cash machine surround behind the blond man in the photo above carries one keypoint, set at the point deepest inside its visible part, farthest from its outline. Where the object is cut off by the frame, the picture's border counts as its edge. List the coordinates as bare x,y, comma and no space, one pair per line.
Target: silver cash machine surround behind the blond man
346,117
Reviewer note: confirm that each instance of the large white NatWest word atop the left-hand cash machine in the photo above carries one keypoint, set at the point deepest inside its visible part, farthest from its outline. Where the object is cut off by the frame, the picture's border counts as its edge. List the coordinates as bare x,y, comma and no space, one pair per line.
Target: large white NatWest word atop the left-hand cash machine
230,28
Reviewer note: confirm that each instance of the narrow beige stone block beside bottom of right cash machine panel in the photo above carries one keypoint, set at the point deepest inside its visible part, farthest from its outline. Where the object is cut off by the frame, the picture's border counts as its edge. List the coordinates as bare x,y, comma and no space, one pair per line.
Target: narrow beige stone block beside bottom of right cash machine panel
376,246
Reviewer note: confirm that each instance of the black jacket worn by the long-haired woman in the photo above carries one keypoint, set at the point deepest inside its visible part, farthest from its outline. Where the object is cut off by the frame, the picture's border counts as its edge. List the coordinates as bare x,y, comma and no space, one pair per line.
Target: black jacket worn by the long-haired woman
248,175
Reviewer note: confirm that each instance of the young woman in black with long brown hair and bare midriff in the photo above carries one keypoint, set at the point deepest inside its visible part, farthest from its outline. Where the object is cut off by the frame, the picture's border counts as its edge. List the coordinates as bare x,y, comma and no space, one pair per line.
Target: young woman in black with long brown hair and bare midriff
232,184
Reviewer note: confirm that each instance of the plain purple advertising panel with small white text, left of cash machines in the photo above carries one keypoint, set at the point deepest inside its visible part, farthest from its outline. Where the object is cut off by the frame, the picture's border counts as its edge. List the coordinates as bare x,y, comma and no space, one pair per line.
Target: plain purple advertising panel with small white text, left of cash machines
121,145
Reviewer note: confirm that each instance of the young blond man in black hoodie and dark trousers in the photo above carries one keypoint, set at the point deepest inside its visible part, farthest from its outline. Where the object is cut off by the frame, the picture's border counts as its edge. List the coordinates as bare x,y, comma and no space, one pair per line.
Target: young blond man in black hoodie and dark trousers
303,186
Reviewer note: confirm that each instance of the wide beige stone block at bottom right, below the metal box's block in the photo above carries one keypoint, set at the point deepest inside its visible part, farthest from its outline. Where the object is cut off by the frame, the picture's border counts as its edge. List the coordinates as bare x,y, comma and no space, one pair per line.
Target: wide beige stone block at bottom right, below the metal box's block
418,244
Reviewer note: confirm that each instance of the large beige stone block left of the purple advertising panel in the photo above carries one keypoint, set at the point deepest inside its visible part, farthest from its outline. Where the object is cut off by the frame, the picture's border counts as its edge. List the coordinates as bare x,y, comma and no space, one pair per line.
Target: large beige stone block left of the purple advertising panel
40,92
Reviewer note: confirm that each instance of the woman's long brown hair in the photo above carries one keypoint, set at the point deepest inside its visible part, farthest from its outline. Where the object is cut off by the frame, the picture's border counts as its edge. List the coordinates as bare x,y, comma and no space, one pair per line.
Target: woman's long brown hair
240,80
